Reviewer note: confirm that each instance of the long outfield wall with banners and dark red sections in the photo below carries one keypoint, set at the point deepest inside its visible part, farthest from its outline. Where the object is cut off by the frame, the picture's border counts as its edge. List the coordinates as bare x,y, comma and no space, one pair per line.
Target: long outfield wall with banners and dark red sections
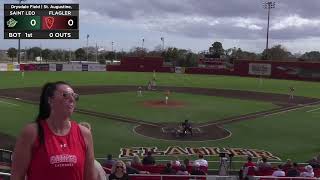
270,69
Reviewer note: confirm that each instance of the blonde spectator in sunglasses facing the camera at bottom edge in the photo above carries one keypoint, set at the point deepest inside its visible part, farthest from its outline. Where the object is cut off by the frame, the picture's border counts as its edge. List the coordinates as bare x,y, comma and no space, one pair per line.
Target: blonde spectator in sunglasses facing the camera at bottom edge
119,171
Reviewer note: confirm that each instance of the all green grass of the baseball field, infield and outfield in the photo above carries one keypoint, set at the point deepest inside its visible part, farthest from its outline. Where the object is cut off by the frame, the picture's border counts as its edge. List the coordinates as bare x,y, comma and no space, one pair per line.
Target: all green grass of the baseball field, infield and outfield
292,134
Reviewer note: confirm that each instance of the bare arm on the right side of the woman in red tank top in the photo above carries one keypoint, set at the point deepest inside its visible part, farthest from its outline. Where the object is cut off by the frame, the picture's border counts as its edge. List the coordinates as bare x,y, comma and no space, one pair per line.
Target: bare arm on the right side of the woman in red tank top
89,171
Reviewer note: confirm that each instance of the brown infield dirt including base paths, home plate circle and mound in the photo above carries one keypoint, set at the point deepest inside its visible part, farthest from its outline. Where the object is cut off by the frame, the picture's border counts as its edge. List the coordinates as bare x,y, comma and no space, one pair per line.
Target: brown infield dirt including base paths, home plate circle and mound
202,131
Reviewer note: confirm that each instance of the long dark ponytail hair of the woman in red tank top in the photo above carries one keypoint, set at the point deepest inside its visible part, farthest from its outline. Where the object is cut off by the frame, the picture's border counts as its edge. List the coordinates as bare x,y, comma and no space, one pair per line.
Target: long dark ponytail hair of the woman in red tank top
44,107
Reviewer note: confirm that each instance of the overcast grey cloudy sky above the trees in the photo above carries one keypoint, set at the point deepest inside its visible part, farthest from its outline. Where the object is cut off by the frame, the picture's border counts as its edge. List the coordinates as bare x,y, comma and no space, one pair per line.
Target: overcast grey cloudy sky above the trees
189,24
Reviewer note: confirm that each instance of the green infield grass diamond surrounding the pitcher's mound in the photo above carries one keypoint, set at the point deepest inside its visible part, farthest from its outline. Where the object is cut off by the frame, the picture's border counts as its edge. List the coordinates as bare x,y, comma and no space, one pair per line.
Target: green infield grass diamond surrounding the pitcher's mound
197,109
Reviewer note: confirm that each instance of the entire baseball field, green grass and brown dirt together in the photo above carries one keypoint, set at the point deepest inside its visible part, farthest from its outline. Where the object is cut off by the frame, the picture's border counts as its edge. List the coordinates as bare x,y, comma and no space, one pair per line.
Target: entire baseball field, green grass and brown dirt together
225,111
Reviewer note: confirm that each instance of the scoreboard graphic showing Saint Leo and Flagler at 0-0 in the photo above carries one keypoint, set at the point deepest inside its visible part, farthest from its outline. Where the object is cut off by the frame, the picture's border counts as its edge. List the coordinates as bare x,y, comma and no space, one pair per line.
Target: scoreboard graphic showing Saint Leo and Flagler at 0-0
41,21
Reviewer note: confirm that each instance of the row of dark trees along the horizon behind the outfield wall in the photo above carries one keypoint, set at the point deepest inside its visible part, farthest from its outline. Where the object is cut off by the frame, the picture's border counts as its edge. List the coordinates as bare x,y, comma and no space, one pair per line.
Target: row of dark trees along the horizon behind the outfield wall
172,55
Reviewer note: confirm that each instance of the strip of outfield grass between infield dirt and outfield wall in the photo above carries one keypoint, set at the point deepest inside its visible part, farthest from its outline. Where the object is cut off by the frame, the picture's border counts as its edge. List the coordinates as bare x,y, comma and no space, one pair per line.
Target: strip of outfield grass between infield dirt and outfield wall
14,79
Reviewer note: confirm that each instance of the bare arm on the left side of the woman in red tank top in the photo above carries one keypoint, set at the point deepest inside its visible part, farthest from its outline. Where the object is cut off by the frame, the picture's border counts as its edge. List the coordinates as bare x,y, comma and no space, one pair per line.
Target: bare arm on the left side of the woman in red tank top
22,152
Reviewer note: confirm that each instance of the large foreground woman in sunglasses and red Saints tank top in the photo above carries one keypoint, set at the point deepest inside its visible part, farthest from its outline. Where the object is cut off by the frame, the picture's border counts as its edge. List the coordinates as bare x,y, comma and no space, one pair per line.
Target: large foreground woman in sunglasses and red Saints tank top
52,137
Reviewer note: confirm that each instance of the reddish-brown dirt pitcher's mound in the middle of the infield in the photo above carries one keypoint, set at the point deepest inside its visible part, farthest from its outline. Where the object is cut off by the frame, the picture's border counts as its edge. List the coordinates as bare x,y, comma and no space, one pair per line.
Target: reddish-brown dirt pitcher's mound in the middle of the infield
162,104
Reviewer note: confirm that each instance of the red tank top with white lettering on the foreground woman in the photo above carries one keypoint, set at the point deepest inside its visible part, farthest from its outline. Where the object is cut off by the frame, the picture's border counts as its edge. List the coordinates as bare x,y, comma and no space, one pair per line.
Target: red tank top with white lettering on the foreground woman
60,157
